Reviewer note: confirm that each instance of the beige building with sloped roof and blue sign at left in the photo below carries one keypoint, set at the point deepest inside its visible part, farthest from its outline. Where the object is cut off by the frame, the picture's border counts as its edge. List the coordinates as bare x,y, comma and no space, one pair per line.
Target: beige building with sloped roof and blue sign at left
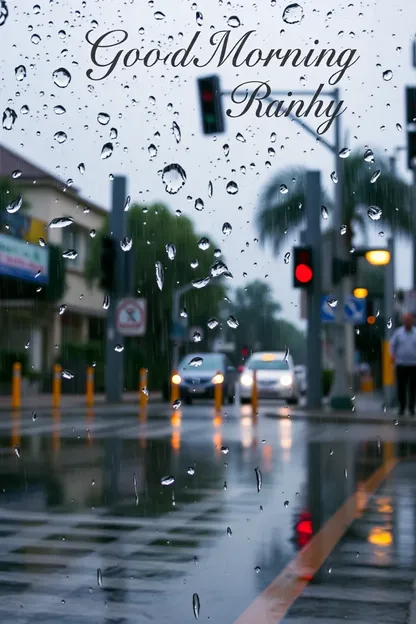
29,320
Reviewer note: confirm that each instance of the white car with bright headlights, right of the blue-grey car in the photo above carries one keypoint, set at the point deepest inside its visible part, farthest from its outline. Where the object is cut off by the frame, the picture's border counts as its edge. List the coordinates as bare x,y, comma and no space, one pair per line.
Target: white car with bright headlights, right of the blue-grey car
276,377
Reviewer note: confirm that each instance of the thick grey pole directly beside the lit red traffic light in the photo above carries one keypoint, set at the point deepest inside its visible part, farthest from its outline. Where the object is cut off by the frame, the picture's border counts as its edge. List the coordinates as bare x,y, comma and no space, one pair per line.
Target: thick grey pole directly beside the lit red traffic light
312,237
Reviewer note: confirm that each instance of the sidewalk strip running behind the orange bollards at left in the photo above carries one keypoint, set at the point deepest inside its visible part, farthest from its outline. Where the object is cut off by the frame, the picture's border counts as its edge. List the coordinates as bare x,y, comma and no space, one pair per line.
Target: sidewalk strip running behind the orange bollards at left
44,401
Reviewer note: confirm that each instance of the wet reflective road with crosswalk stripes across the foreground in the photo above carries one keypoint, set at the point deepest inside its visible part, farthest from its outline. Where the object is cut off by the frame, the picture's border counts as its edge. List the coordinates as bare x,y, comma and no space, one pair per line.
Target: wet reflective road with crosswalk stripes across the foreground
88,533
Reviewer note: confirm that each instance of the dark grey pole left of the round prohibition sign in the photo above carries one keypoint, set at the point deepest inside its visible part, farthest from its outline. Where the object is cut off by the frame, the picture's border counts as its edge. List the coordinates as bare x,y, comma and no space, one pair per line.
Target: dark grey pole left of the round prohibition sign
114,369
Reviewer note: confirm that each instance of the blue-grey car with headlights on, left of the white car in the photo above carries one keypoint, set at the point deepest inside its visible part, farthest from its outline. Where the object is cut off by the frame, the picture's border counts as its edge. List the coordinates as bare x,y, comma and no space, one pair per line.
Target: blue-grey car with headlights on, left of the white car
198,374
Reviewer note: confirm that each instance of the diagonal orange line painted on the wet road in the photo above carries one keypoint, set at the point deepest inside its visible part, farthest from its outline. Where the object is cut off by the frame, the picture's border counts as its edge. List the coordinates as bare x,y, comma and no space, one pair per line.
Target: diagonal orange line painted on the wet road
273,604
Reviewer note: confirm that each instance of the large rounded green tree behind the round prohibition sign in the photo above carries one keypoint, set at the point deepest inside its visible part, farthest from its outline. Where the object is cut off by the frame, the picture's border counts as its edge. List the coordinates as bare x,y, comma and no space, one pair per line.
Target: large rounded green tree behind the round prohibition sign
152,229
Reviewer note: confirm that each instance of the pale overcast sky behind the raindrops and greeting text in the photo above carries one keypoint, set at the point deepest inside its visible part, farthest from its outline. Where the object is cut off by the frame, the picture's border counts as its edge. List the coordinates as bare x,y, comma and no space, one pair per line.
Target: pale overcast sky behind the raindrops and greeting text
380,30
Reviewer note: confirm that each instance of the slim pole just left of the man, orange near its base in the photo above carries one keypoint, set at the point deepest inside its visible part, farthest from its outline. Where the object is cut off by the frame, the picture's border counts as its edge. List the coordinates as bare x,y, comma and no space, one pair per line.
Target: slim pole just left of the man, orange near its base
388,376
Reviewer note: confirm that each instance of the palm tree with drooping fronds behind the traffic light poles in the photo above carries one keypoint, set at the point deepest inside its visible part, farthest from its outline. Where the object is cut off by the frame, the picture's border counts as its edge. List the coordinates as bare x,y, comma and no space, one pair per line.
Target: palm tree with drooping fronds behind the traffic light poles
282,203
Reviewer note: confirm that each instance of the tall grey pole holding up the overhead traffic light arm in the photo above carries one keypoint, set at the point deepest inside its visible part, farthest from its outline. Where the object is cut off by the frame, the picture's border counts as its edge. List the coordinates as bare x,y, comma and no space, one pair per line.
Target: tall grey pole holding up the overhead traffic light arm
340,395
